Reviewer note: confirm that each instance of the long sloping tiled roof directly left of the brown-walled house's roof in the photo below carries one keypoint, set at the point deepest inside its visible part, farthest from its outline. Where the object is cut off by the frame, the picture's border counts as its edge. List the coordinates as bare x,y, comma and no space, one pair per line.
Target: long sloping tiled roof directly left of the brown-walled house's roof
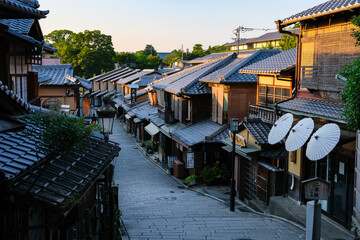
184,80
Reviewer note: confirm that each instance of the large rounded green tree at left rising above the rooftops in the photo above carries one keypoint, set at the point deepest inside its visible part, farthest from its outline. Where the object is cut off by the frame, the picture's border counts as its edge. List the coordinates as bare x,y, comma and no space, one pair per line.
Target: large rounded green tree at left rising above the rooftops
90,52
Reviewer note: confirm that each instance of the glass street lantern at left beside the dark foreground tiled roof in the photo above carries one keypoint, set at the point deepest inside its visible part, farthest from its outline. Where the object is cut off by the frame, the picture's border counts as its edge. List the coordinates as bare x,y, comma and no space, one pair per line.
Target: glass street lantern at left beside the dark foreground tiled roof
106,114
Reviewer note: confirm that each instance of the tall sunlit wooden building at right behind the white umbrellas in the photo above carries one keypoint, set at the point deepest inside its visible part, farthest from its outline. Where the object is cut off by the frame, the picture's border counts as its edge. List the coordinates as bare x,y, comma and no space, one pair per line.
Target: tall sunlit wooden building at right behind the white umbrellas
325,45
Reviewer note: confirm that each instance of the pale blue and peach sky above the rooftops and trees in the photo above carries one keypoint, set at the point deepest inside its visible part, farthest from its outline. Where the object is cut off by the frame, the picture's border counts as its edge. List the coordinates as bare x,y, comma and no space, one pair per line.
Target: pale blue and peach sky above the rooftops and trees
168,24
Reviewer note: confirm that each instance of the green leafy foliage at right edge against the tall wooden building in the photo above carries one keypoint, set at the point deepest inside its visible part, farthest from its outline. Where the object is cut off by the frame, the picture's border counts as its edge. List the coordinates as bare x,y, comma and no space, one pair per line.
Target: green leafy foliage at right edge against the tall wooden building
350,94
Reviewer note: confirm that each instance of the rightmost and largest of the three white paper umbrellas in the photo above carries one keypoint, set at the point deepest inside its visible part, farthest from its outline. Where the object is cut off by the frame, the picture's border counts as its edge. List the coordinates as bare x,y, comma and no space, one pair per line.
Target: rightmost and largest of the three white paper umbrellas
323,141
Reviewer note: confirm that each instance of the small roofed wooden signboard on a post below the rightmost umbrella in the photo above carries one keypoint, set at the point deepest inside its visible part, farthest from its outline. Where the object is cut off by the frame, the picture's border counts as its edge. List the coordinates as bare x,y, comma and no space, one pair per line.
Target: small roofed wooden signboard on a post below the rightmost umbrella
316,189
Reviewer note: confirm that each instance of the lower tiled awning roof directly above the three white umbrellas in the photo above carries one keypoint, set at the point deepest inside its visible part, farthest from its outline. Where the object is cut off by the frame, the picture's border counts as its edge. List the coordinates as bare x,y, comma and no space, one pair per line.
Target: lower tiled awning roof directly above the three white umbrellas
321,109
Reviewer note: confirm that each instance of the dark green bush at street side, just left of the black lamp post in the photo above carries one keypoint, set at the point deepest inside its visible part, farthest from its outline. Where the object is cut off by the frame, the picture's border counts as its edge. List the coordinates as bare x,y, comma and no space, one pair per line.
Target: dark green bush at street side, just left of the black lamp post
216,174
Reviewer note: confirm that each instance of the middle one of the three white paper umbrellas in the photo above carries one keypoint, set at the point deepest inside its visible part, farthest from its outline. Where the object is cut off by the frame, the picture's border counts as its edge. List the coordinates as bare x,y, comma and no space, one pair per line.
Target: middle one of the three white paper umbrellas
299,134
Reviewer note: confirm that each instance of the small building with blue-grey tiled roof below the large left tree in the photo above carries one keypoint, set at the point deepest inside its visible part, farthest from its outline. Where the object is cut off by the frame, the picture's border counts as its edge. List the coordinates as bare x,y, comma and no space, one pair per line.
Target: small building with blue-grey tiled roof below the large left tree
59,86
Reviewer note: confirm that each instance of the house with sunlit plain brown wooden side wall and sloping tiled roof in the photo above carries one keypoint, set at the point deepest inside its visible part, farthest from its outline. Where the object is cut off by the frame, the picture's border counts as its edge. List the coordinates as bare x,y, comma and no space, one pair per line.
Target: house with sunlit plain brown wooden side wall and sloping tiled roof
232,91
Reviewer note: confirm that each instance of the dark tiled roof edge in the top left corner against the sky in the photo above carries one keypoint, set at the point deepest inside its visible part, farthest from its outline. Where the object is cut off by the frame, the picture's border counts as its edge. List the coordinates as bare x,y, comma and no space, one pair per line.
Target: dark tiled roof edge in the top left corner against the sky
25,7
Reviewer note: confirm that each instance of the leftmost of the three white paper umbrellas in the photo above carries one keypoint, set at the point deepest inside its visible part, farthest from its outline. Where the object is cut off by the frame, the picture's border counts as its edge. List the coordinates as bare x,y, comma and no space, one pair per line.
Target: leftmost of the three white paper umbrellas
280,128
